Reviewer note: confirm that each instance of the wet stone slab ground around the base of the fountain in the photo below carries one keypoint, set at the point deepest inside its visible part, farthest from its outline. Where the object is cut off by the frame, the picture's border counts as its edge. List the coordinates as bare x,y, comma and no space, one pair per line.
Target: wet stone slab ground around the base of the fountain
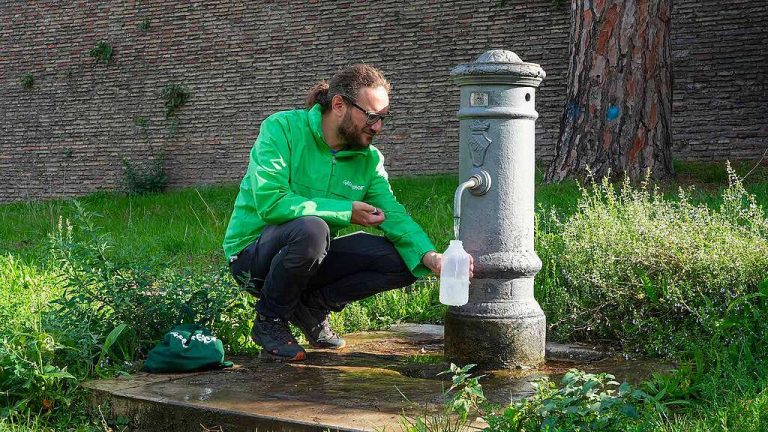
379,379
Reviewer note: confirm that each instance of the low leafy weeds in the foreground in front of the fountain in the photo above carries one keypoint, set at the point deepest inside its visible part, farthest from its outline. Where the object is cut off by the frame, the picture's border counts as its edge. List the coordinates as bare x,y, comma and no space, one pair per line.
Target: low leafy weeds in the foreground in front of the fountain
583,402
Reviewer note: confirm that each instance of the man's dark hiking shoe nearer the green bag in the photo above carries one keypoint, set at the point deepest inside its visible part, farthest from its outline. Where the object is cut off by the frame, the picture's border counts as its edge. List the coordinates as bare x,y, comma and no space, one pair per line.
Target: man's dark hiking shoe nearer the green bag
276,340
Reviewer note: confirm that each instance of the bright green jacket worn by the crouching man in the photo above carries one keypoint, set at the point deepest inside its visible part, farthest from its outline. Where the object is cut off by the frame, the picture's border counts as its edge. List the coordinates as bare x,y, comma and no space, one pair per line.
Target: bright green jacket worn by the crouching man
293,173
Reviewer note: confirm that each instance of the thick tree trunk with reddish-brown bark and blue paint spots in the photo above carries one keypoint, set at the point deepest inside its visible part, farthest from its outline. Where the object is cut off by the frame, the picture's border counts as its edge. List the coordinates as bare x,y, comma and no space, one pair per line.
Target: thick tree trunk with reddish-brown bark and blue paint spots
617,116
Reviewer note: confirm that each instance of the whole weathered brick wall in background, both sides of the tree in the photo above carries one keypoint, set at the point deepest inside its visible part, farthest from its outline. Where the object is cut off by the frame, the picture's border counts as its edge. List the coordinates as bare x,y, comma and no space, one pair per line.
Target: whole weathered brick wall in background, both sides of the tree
242,61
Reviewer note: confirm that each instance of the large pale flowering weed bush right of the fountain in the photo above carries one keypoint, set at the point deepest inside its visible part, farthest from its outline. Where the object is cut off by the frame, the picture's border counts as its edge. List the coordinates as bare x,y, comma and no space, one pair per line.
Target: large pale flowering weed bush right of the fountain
651,273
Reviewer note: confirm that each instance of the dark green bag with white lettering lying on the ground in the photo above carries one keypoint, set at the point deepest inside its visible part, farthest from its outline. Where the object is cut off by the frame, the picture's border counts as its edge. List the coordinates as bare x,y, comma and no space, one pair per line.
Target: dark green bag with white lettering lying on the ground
187,348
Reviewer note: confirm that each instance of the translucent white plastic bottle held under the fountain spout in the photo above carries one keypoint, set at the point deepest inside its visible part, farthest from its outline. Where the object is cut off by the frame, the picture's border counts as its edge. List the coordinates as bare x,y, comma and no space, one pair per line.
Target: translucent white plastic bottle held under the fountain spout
454,275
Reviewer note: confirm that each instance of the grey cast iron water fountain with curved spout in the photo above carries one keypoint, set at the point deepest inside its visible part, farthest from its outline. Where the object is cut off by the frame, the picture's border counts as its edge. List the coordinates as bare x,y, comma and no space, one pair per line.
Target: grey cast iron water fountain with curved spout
502,326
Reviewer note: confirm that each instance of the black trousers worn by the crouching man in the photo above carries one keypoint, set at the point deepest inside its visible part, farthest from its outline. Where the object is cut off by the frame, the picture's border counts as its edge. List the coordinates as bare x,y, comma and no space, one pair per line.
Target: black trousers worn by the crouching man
298,262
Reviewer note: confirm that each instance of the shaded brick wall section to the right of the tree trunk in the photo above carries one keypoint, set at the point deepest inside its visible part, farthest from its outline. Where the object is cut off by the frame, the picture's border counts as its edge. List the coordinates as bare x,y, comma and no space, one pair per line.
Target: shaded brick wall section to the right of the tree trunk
720,76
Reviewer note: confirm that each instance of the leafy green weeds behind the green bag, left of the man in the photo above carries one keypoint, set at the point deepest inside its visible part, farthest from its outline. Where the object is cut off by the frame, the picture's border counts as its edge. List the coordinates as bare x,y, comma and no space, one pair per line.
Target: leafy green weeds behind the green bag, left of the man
149,299
